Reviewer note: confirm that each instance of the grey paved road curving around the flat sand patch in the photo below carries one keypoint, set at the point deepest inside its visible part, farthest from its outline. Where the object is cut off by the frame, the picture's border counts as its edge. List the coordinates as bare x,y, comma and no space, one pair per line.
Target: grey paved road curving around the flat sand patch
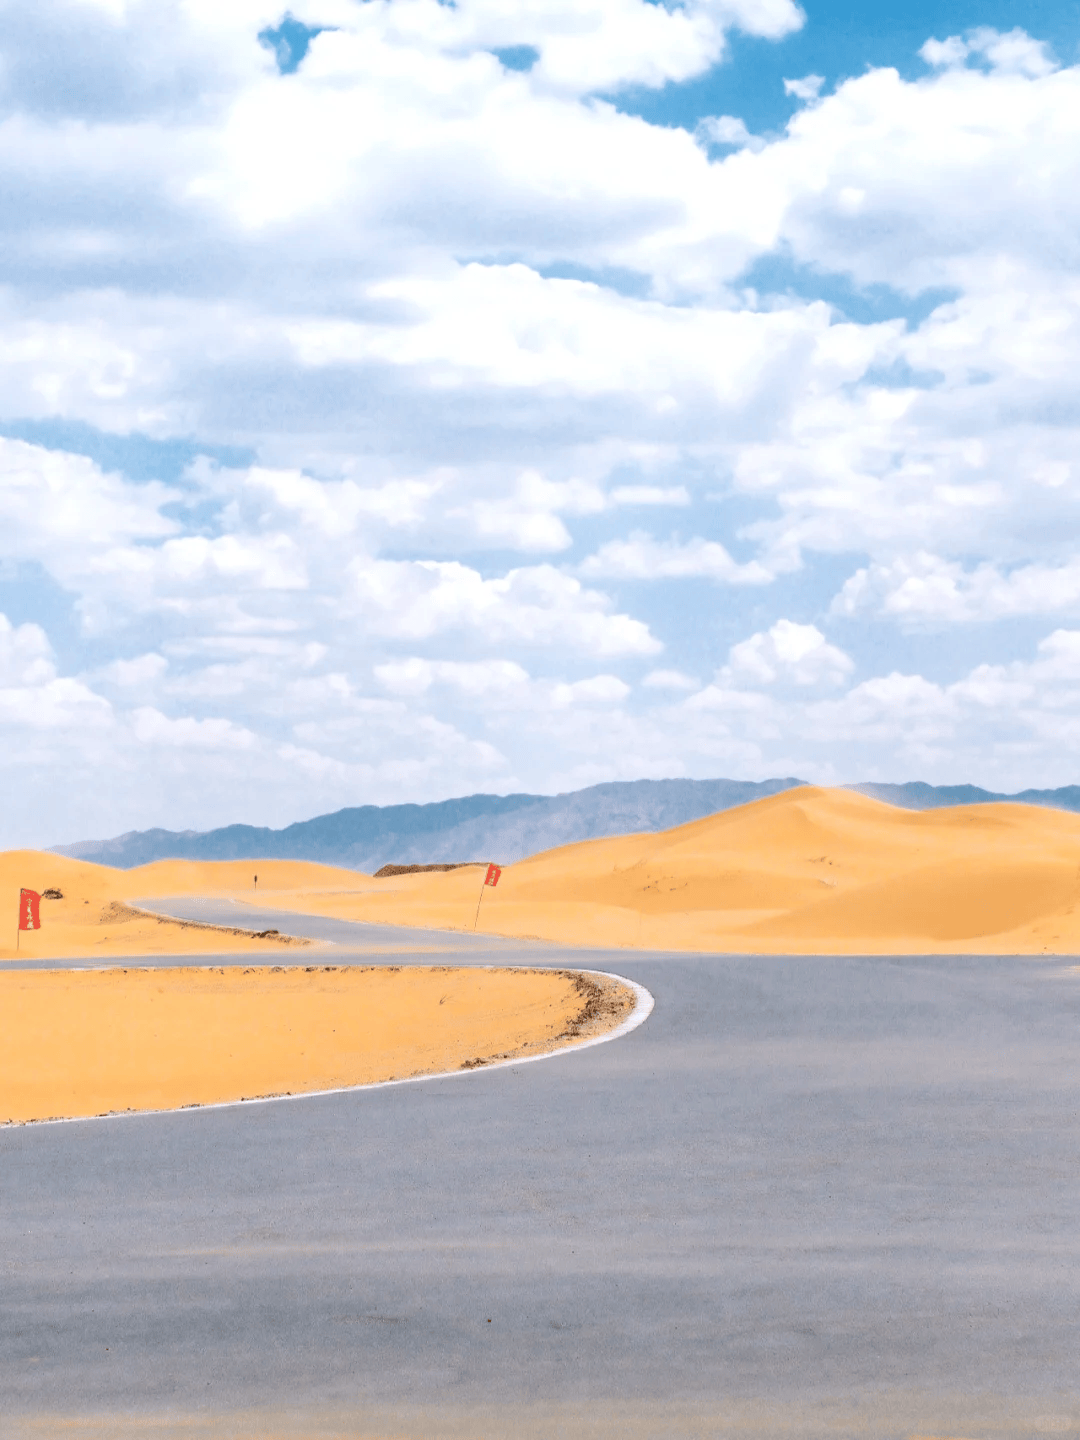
810,1197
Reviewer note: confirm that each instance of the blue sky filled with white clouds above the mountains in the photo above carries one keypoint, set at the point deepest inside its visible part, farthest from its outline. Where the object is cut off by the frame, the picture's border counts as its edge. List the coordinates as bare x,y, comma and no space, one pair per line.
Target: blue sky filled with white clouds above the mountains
405,400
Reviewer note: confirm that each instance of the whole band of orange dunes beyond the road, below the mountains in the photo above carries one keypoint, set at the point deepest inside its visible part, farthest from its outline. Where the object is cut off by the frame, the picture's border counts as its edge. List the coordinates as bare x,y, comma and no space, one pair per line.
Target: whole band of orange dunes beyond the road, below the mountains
807,872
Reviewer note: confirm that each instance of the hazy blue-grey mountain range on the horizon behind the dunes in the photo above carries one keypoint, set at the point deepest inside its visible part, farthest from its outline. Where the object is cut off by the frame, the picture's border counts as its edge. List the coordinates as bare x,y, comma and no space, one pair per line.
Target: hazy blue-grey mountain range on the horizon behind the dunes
500,827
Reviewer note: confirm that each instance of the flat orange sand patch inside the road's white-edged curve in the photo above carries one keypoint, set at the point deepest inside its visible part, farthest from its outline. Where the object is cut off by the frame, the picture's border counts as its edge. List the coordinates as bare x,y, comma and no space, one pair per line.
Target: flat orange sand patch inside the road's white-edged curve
84,1043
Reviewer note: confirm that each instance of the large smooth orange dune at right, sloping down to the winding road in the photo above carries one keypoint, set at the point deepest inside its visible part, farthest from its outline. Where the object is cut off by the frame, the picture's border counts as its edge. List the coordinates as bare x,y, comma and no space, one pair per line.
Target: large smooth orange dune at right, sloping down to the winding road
811,870
